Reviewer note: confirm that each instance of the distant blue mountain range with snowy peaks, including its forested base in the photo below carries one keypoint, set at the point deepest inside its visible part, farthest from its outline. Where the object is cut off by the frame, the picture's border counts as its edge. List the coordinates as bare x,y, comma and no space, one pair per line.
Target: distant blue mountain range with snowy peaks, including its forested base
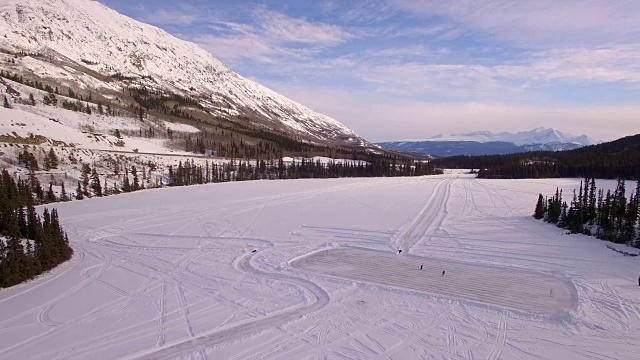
490,143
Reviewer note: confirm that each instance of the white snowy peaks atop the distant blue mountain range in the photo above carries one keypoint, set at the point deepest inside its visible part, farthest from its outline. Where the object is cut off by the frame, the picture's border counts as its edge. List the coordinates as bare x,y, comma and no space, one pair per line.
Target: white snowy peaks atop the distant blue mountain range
535,136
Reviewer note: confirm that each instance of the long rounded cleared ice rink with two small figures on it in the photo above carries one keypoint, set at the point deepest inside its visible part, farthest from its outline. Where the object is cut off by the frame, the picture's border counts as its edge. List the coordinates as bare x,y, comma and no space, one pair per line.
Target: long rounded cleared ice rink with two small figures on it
504,287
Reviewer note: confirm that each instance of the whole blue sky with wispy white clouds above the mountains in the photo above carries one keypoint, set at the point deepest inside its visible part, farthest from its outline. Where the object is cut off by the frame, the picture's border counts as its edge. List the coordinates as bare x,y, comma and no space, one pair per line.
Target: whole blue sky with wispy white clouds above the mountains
400,69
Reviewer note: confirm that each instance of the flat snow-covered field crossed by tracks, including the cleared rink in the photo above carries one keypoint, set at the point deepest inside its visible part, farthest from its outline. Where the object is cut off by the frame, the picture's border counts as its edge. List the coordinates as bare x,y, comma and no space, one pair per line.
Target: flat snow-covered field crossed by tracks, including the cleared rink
172,273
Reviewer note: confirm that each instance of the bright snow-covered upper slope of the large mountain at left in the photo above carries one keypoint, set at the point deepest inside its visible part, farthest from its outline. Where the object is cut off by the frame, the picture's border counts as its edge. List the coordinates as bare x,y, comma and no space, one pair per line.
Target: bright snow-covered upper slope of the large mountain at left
84,44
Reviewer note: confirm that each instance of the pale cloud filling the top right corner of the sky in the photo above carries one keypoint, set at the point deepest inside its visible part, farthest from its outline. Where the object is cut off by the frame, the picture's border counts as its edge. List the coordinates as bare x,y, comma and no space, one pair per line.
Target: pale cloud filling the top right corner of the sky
540,23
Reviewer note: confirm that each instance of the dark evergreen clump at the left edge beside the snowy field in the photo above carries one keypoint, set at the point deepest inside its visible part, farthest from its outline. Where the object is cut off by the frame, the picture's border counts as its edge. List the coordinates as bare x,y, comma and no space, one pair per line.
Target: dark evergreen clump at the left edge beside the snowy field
29,244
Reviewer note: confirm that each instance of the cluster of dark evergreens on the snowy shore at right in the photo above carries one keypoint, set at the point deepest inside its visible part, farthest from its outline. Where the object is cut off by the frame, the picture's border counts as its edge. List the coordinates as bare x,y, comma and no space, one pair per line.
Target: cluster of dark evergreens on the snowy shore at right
608,216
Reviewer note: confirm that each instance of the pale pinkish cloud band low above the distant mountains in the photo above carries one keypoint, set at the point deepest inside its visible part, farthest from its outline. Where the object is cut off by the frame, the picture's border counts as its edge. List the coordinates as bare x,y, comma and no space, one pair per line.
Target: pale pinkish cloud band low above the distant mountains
378,118
